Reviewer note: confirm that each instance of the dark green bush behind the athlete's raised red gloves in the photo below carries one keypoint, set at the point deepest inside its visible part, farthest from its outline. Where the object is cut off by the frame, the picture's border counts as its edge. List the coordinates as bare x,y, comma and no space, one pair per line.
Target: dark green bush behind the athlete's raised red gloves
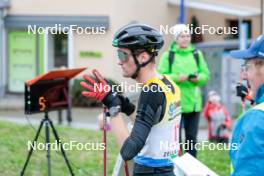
80,101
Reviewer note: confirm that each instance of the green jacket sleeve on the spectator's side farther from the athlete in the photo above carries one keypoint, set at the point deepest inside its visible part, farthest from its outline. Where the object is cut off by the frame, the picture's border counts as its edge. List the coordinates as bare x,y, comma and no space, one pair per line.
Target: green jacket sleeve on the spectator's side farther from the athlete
203,75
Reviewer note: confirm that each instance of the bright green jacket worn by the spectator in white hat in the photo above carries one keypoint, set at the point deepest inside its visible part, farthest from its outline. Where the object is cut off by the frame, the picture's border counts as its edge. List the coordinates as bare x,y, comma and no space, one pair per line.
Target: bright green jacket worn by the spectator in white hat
184,63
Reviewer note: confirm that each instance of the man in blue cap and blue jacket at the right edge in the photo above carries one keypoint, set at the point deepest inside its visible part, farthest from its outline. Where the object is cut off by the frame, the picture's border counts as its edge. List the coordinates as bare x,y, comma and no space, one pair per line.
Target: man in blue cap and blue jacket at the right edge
247,144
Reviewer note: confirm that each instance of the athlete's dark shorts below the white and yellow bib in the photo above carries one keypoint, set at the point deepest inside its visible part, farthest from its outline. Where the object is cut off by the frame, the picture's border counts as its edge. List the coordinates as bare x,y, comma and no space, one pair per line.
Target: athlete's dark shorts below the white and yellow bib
140,170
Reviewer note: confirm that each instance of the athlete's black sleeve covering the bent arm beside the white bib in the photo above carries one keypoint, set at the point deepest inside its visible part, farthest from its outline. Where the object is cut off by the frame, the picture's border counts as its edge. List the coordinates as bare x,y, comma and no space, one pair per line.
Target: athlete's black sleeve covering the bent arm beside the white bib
148,114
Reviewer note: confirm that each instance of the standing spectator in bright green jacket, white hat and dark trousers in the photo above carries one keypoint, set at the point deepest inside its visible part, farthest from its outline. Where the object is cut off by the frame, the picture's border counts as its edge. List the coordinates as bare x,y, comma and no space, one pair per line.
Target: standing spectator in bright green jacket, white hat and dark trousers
187,68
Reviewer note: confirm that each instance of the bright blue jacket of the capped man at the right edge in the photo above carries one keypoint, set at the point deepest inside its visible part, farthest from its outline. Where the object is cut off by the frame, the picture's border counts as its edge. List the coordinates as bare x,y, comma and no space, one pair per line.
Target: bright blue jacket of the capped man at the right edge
247,144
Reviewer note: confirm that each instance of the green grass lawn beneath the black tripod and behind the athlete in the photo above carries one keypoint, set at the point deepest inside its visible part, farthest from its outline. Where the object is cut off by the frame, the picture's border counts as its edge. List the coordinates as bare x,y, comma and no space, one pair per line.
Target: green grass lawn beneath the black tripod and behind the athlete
14,142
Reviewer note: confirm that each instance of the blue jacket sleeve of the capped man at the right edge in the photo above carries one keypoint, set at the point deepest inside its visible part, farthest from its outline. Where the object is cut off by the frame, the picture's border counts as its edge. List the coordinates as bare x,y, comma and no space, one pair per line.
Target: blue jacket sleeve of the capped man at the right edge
249,159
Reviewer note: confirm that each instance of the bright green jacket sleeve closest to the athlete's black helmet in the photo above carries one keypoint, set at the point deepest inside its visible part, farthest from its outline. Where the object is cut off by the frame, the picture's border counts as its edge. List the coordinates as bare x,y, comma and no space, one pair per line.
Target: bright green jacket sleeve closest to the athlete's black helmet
164,65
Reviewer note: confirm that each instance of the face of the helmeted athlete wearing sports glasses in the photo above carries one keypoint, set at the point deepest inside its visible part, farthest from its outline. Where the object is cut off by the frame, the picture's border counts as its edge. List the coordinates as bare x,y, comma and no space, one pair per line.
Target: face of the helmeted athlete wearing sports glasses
126,62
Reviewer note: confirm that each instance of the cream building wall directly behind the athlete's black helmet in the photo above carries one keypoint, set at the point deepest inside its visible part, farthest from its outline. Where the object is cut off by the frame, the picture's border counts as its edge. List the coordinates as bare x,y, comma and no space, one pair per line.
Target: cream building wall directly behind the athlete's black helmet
120,13
